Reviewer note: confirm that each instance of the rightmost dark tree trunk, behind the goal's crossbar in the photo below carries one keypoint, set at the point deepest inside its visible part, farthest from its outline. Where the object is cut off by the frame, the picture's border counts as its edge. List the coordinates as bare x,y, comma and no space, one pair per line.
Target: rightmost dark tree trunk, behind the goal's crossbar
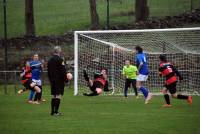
141,10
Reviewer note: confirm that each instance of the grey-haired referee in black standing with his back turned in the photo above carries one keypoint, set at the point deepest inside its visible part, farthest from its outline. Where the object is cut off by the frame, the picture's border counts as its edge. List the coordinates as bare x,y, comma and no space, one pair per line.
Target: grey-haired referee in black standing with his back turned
57,76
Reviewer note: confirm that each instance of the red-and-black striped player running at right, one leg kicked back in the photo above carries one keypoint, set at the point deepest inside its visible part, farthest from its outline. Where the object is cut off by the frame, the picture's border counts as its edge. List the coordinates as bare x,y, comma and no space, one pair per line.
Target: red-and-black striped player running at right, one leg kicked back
167,70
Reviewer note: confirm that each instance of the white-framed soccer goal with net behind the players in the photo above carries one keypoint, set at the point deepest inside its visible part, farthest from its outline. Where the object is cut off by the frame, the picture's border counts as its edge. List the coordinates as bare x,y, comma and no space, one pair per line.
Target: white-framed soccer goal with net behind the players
109,49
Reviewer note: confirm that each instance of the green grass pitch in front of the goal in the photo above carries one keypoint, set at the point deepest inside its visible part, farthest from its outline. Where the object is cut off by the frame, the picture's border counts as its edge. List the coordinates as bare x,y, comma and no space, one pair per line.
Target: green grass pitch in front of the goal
98,115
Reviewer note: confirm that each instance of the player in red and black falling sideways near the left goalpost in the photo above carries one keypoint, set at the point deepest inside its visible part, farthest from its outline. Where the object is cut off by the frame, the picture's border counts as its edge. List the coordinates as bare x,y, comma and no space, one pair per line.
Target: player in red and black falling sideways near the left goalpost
98,84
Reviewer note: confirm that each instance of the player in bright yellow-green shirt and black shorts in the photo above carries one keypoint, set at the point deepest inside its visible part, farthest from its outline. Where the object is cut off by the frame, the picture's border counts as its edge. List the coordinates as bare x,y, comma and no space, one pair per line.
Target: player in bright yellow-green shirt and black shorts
130,72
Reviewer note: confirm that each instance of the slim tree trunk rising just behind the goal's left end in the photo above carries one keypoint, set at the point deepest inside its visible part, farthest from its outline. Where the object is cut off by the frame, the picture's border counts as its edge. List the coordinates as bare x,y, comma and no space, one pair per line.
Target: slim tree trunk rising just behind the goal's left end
94,15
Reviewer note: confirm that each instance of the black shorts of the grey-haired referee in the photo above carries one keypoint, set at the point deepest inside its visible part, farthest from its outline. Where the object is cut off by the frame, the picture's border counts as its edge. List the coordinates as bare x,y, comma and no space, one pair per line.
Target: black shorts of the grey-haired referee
57,87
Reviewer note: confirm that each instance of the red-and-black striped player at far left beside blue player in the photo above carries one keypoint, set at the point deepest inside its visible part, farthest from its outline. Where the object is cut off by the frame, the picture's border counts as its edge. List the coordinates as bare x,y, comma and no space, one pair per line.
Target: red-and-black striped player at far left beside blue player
27,80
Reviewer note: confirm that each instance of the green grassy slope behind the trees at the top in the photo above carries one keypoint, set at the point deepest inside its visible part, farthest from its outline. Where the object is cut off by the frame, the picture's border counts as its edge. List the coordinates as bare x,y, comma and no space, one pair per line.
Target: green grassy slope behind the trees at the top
57,17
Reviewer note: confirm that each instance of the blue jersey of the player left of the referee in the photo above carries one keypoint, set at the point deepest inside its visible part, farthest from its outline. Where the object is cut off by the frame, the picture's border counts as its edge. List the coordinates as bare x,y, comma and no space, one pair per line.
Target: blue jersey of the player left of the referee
36,69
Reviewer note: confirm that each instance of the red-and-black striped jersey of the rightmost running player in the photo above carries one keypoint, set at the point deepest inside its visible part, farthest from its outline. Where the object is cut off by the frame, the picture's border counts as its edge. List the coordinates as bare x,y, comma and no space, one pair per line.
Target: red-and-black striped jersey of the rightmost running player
167,70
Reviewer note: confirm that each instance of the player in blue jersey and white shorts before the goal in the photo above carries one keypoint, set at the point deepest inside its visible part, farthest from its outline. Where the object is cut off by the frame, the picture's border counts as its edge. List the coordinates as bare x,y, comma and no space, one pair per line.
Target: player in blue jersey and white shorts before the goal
143,71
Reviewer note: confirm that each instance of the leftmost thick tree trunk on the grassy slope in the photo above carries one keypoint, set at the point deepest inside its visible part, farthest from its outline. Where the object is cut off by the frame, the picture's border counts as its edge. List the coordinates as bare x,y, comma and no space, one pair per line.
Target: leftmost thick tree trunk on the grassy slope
29,18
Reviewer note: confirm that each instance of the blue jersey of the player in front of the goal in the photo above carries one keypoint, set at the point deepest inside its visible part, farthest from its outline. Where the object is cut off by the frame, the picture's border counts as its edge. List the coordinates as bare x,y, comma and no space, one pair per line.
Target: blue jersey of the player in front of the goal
141,57
